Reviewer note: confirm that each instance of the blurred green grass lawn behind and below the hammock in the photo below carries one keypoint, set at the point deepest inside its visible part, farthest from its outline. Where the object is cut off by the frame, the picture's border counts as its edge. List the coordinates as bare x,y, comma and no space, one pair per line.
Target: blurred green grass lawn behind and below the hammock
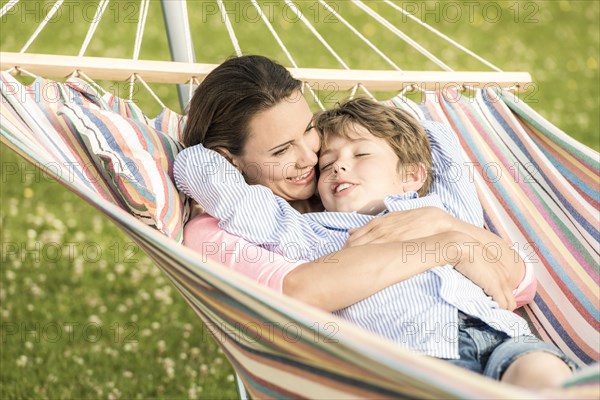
64,265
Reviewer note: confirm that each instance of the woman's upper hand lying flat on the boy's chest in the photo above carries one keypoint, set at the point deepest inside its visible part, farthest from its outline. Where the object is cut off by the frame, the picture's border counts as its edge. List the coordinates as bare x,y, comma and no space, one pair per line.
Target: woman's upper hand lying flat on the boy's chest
399,226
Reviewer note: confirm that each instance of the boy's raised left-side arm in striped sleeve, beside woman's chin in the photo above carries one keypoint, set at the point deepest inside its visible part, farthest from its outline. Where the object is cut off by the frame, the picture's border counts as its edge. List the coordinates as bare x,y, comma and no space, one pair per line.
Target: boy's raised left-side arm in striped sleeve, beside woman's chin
252,212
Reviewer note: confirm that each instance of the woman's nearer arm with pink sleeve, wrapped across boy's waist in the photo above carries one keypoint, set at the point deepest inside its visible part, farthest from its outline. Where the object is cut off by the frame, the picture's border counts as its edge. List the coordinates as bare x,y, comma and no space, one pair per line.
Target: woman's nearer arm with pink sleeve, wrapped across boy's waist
347,276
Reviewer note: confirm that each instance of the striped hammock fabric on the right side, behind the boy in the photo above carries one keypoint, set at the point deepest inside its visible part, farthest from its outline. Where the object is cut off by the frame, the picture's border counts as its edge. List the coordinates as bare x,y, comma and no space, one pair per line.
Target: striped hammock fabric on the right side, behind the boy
540,191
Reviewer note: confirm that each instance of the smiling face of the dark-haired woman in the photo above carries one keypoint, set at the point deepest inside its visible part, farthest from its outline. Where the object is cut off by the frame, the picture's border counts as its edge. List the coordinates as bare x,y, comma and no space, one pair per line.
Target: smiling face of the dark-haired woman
281,150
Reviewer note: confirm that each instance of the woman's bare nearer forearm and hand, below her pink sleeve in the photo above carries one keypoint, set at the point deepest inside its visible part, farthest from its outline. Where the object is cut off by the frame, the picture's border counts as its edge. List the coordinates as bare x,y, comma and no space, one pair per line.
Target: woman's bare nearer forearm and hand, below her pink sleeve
354,273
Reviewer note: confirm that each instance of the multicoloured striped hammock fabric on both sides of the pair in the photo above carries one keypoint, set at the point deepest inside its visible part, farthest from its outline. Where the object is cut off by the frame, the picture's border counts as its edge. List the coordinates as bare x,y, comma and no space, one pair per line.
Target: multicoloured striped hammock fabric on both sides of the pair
539,188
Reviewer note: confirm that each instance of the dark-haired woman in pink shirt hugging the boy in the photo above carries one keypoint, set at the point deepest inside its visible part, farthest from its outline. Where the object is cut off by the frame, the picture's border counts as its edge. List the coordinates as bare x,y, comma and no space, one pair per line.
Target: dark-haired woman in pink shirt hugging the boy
251,110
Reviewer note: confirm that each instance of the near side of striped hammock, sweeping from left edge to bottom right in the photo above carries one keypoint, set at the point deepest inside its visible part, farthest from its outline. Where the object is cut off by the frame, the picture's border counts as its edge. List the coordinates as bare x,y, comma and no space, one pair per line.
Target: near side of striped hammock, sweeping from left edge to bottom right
280,347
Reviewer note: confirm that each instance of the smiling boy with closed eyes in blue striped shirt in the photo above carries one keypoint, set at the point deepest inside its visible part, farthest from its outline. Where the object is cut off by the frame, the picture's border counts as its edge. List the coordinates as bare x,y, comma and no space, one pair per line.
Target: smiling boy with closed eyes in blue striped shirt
375,159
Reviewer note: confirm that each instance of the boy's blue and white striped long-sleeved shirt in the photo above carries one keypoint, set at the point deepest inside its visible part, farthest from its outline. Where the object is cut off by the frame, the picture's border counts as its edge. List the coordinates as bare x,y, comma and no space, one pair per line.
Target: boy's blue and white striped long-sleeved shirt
420,313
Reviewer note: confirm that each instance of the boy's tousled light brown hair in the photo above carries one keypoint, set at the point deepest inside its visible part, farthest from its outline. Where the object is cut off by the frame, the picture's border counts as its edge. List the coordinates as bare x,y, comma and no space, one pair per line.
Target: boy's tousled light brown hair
400,129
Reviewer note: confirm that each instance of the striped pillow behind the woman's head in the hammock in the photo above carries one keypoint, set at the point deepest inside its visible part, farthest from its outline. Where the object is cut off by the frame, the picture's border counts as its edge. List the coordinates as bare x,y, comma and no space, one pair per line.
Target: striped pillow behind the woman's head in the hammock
137,161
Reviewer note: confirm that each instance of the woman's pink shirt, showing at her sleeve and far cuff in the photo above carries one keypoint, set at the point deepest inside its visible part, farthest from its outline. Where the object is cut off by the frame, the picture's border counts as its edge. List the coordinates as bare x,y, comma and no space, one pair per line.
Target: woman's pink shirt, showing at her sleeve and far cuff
202,234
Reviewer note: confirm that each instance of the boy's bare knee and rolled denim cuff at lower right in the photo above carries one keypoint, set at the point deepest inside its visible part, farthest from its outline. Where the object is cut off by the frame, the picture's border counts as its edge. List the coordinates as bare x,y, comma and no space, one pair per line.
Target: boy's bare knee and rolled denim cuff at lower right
529,362
